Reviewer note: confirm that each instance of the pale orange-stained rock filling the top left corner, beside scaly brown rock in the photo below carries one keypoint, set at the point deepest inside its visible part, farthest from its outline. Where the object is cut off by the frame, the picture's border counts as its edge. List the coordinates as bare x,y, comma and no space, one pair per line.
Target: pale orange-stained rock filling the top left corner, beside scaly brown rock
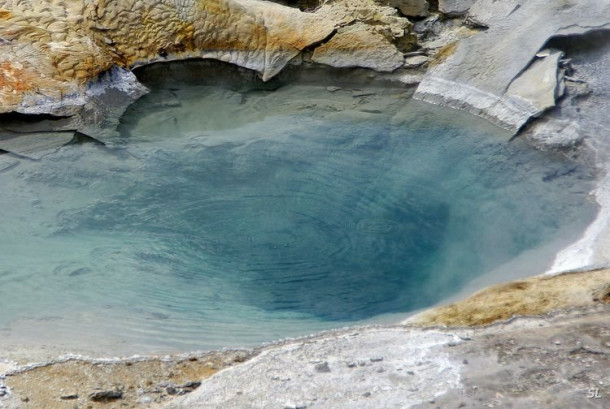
46,51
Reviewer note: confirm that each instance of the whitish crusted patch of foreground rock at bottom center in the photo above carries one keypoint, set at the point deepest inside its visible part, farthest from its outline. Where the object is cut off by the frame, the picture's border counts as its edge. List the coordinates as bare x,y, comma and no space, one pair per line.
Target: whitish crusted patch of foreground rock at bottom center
342,387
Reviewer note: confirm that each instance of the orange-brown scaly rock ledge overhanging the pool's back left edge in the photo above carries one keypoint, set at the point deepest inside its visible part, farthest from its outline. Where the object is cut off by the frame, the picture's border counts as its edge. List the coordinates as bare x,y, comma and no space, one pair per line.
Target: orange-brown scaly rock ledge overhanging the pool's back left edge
53,51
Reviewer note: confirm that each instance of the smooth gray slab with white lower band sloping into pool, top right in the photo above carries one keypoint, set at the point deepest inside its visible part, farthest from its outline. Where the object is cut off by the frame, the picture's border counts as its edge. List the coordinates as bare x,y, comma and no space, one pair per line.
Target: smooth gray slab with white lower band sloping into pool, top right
475,74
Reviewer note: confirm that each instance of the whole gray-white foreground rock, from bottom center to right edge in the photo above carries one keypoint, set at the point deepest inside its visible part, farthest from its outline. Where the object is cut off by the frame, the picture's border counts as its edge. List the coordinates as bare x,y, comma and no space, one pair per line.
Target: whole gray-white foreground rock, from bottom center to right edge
442,375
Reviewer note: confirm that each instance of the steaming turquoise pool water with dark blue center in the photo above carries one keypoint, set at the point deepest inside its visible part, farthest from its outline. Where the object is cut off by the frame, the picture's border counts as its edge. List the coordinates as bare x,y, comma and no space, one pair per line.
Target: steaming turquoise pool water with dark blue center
225,217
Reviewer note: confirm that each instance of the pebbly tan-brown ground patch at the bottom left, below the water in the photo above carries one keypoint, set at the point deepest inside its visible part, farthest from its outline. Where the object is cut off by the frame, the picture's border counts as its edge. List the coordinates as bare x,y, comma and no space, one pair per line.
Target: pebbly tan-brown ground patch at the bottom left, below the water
90,384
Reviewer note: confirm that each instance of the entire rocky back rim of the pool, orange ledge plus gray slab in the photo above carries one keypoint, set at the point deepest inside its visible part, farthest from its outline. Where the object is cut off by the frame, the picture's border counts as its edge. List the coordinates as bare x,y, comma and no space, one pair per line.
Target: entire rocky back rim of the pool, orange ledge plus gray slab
53,51
